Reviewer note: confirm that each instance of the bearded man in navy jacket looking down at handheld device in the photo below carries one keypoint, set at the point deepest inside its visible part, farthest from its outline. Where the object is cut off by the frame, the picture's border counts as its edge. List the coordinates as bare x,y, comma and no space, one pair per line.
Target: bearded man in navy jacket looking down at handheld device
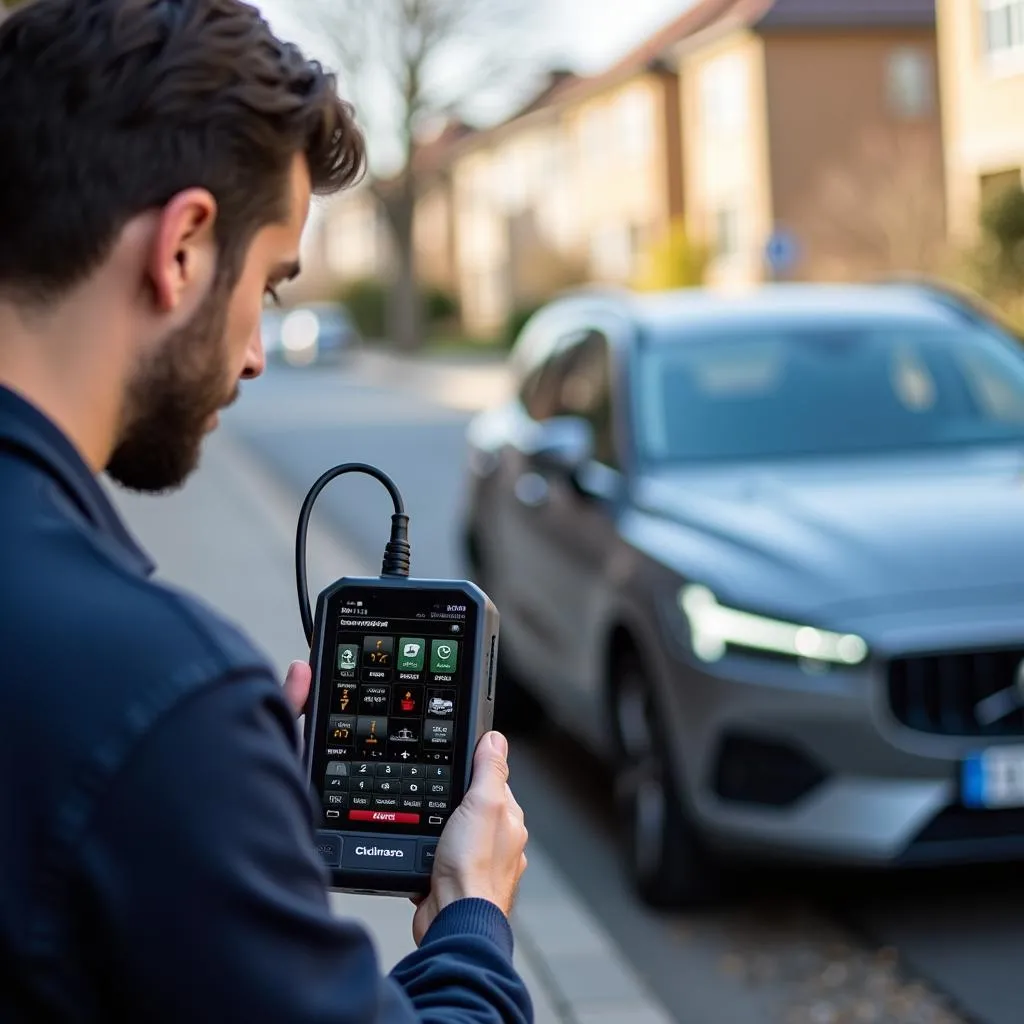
157,864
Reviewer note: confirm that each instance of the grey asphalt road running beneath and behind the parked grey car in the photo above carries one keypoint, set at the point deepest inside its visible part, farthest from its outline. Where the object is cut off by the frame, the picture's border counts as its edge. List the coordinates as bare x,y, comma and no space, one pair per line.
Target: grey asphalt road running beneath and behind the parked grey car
825,950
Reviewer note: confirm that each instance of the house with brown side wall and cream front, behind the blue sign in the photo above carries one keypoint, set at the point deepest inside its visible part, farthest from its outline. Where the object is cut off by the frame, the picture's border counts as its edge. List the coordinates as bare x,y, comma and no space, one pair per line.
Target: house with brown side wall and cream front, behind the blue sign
812,137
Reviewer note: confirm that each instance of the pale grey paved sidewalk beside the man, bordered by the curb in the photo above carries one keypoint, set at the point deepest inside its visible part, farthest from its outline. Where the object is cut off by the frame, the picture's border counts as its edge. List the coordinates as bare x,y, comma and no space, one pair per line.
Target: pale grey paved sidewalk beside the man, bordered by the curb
230,537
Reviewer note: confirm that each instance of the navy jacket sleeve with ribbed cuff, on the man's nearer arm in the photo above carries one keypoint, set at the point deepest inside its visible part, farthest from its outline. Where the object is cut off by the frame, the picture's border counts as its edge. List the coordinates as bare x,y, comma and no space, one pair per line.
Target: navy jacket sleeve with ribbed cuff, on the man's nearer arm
203,899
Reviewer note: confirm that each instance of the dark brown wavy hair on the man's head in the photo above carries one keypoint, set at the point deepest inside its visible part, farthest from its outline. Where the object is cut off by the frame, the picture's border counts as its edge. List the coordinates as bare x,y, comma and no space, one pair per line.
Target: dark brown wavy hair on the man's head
109,108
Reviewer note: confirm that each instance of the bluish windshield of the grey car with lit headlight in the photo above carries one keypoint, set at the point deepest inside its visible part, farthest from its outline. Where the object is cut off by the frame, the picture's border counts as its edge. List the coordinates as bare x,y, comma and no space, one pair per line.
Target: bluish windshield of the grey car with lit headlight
824,391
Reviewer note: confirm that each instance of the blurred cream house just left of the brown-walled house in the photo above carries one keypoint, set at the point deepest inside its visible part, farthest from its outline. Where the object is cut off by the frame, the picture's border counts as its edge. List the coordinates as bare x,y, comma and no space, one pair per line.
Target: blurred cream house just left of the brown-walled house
572,189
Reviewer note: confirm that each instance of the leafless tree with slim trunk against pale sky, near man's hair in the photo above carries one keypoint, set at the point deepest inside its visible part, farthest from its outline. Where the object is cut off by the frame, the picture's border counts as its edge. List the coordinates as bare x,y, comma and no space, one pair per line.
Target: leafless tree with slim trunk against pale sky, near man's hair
406,63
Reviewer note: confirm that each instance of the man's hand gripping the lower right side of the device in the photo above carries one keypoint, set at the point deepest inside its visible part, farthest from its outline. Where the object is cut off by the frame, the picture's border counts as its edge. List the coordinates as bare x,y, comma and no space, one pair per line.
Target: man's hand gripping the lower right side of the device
482,852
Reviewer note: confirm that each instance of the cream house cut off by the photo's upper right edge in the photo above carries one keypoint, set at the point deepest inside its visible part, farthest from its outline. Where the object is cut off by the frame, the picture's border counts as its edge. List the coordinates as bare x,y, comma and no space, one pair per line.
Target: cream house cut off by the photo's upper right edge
982,46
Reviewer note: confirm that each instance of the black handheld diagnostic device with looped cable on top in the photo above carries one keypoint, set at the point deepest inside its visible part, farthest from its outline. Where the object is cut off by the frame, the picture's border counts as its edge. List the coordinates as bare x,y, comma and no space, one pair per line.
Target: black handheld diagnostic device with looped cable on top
403,690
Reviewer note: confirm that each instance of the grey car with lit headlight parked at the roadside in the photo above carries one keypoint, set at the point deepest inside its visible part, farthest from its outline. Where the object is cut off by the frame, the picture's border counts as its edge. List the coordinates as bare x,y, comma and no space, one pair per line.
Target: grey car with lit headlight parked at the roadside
765,557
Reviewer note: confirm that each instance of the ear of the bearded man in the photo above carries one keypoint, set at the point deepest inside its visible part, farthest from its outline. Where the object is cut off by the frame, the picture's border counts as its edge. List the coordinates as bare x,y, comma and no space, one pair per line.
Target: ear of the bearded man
184,252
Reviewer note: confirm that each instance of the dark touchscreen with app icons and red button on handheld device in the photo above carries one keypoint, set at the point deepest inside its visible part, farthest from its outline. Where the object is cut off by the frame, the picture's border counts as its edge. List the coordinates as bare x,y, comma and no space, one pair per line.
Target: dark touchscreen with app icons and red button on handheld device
394,709
